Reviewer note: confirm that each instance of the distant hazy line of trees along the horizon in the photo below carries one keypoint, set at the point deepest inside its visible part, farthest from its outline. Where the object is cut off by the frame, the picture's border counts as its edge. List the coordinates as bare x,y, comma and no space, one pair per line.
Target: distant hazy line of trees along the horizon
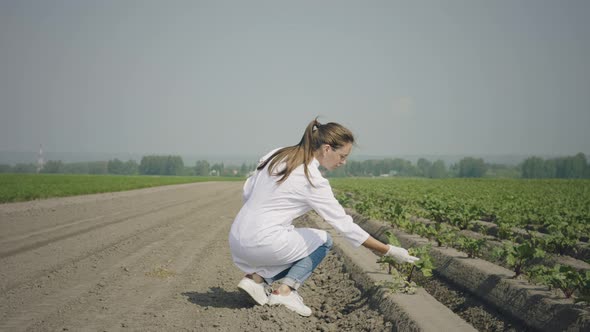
533,167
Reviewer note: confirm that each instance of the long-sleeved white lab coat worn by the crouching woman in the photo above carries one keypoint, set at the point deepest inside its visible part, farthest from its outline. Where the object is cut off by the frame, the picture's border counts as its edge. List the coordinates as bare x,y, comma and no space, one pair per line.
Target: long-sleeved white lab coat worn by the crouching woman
262,238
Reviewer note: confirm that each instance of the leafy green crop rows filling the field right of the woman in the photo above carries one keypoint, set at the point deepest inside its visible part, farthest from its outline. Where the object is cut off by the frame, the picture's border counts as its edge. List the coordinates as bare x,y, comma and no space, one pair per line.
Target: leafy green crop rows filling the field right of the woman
455,206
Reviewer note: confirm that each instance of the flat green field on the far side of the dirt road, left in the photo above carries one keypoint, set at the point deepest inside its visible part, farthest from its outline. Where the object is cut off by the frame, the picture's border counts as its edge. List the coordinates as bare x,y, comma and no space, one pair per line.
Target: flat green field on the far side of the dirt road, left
26,187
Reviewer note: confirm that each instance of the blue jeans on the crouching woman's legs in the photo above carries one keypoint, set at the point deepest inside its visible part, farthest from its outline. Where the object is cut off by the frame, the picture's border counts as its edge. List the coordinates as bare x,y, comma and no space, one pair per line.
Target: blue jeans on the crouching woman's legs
301,270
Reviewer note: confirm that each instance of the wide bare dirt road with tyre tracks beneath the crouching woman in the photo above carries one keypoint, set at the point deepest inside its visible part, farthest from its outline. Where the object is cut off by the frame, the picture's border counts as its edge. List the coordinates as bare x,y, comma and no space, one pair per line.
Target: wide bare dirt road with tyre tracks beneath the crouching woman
149,260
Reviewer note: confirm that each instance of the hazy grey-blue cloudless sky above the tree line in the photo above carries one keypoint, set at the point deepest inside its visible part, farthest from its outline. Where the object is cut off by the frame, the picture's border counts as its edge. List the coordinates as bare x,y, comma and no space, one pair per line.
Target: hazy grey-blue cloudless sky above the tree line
241,77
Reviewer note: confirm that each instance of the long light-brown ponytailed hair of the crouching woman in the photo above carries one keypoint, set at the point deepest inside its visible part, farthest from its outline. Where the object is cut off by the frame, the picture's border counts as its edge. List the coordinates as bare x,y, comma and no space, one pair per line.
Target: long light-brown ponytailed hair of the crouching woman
315,135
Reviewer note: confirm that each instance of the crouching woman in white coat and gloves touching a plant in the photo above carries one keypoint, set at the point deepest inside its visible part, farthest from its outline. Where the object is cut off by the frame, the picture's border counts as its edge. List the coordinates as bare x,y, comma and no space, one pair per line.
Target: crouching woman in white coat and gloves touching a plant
287,184
